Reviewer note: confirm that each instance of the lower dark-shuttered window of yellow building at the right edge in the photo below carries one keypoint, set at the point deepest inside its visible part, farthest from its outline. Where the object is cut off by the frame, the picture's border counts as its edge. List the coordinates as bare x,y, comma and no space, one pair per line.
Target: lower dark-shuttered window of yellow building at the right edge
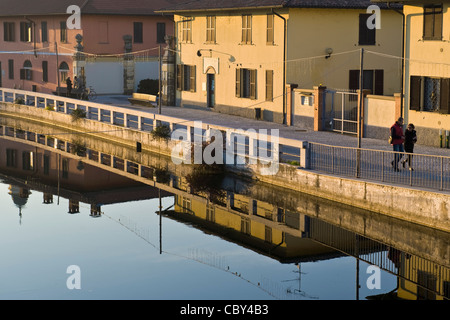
430,94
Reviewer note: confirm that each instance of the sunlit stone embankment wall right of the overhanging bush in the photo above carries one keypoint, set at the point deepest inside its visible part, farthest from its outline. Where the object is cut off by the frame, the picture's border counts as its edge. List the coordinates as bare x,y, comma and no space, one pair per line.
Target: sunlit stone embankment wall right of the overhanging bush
428,208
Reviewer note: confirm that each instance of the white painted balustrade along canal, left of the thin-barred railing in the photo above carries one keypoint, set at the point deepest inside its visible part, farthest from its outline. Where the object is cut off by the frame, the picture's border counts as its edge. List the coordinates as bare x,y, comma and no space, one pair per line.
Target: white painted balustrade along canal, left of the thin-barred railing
248,144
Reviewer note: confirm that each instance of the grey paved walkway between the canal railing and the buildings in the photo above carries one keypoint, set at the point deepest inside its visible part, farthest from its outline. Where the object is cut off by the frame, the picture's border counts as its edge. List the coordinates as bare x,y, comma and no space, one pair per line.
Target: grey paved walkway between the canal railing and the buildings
211,117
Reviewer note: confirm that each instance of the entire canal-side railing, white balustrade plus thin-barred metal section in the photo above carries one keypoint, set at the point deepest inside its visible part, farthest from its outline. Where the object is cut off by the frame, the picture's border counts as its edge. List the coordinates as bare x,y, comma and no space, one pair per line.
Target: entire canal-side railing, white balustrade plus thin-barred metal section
429,171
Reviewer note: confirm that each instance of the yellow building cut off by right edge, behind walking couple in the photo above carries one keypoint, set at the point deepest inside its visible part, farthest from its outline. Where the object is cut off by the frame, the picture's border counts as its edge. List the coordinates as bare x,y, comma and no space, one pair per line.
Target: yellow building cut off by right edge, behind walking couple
427,68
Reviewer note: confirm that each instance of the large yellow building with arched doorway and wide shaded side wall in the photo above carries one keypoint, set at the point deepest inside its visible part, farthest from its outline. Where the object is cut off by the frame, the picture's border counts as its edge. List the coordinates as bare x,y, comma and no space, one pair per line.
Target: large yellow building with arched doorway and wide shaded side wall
244,58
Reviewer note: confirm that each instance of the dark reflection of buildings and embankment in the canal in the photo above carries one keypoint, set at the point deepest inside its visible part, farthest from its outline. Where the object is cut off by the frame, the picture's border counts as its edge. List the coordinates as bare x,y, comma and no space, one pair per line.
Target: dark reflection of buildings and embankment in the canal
290,228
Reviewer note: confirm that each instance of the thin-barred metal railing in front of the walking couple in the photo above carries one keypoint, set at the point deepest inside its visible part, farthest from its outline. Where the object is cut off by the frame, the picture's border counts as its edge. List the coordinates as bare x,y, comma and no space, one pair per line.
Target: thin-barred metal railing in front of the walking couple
429,171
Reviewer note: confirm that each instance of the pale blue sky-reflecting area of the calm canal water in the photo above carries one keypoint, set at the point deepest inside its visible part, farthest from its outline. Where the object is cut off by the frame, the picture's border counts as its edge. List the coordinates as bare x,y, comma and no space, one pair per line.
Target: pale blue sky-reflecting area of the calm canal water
119,258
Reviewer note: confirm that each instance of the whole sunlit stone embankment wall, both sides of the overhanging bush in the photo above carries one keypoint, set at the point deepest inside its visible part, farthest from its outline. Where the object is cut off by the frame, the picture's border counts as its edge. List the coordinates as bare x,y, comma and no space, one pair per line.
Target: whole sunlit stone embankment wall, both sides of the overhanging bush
428,208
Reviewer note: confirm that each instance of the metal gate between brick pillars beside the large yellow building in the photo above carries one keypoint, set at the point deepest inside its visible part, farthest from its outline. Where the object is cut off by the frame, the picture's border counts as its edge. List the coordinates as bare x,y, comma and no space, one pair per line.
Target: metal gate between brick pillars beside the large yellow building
340,112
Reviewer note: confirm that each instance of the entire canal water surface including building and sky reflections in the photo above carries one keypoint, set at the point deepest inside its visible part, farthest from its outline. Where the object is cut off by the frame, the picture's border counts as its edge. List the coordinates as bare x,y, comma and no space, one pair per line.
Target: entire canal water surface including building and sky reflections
74,226
